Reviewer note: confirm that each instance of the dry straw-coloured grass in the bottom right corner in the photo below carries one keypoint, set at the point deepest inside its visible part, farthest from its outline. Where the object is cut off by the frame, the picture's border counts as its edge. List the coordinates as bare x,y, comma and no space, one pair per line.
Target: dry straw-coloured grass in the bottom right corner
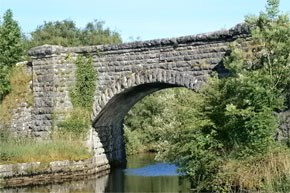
264,173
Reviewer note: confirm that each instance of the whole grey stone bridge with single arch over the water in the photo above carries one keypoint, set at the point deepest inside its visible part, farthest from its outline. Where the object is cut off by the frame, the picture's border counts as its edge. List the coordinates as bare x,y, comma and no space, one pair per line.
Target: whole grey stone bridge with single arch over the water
126,73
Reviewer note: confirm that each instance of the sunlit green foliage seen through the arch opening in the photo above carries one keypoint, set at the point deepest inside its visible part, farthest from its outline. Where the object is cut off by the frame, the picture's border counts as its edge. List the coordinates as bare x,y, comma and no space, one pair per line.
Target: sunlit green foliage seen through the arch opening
155,117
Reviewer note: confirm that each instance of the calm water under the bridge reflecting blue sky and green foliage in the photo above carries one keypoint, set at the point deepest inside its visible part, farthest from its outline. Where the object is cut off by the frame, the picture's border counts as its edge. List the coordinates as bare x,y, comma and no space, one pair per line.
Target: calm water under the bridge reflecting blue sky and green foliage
142,174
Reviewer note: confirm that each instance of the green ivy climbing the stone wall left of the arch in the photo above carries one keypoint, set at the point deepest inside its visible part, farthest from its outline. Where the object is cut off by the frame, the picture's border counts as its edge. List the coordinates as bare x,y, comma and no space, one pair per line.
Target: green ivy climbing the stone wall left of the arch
82,97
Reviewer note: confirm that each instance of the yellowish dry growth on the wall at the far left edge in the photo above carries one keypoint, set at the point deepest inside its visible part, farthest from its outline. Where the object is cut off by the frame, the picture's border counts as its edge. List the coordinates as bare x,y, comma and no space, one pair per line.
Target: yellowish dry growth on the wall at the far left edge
20,93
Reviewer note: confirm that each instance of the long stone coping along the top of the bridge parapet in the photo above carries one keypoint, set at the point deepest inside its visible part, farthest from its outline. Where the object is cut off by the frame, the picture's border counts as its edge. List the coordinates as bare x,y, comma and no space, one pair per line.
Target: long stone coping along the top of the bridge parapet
240,30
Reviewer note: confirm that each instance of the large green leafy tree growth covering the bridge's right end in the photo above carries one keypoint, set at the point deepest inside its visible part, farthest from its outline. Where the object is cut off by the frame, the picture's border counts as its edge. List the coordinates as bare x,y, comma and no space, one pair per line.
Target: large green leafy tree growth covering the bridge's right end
237,118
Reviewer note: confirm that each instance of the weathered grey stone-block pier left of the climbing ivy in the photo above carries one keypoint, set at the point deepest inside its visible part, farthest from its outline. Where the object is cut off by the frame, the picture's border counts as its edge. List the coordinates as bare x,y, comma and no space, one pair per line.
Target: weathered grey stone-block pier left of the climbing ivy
51,84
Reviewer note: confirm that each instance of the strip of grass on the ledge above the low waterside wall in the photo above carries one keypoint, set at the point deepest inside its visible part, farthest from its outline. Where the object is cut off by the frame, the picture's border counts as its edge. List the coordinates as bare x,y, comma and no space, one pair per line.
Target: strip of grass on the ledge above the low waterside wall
15,150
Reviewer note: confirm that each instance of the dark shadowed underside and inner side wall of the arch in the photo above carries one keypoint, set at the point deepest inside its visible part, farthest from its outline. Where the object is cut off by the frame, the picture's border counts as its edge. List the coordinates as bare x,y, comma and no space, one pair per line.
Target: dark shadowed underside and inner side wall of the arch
110,124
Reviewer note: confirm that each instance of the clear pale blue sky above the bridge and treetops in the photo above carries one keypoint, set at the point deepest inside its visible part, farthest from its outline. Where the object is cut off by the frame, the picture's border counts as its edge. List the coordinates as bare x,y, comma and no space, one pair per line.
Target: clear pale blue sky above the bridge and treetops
147,19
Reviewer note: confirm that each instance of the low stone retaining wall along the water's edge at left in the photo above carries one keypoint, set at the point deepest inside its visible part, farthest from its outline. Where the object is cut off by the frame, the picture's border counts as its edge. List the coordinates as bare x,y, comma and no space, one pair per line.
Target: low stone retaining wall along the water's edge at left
23,174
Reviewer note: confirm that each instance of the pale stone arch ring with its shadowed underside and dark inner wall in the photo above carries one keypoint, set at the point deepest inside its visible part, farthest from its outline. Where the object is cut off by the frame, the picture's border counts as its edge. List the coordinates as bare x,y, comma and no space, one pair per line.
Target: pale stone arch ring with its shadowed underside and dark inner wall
111,106
